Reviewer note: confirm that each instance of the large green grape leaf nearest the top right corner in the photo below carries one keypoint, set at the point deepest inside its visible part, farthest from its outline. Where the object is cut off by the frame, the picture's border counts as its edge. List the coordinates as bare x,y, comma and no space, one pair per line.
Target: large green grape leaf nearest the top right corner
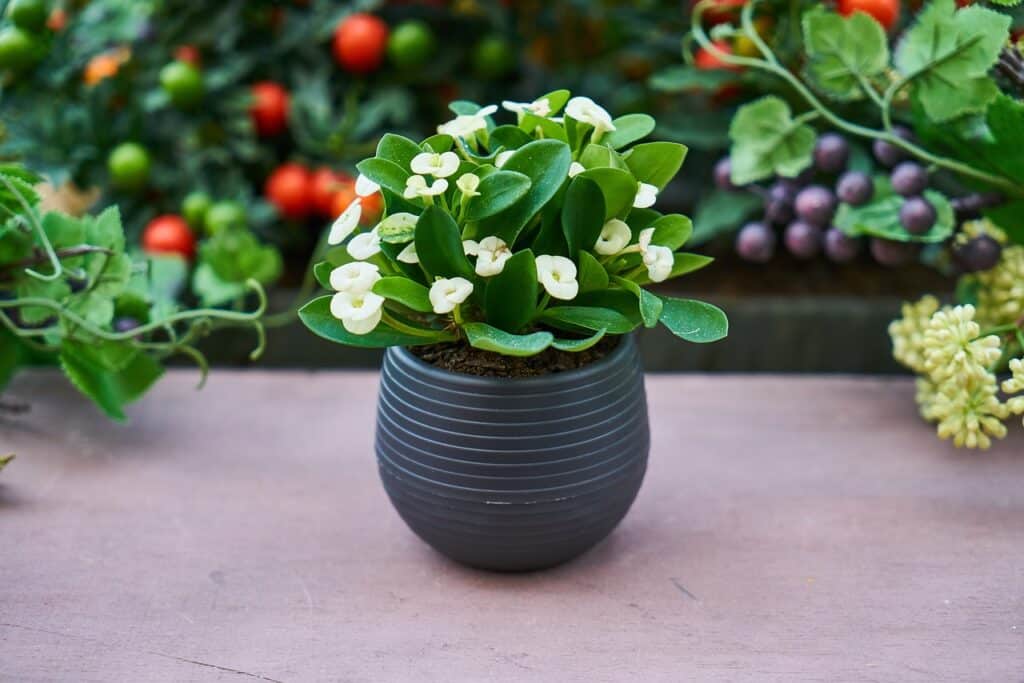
948,56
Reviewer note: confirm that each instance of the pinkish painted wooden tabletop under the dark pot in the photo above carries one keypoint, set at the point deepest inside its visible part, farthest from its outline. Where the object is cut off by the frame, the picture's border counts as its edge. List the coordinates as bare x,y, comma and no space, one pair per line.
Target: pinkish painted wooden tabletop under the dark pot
790,530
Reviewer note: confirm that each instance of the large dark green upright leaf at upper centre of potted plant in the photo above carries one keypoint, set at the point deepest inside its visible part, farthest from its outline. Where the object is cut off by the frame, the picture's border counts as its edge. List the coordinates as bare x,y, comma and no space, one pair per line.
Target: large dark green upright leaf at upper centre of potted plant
546,163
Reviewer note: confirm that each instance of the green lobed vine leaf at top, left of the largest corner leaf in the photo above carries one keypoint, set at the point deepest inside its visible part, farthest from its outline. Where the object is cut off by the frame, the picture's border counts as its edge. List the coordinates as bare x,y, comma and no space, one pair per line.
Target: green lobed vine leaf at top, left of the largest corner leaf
844,52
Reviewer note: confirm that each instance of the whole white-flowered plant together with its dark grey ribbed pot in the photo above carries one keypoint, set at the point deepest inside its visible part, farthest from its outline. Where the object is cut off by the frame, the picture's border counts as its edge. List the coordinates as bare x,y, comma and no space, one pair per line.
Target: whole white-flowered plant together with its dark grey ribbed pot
505,278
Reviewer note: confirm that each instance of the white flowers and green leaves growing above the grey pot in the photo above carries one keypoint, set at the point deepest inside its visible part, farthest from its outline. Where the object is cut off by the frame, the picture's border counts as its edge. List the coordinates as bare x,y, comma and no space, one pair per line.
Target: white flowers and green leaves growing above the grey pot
515,237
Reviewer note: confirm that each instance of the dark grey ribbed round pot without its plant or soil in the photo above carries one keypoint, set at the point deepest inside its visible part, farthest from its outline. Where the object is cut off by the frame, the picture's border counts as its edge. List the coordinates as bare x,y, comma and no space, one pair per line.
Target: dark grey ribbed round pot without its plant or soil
514,475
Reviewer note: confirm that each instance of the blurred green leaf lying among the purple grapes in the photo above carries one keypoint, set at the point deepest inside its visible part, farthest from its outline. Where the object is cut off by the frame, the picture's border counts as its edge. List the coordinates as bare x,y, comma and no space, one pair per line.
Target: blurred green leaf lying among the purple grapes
881,220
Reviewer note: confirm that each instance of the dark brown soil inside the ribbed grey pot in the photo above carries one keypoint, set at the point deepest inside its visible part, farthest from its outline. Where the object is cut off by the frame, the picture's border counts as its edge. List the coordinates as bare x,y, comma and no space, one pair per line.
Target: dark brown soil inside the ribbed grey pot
461,358
